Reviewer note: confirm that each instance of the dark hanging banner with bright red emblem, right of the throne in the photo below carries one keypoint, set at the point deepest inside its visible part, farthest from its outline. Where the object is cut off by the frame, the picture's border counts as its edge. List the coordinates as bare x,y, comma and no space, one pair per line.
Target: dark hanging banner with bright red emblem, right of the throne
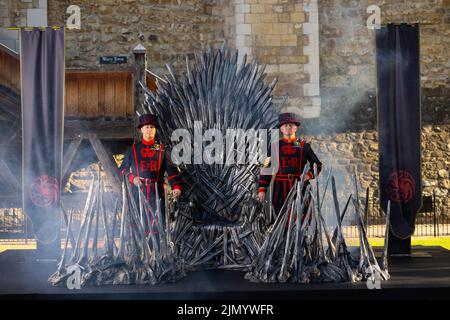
399,124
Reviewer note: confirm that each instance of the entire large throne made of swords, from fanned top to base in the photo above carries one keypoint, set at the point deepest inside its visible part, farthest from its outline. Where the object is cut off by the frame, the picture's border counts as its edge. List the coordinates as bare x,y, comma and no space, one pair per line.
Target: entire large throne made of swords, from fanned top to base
219,223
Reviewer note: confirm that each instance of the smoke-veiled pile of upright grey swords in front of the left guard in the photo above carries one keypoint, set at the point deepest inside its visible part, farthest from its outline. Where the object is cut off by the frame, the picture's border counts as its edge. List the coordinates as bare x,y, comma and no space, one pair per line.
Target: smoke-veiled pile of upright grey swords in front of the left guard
131,246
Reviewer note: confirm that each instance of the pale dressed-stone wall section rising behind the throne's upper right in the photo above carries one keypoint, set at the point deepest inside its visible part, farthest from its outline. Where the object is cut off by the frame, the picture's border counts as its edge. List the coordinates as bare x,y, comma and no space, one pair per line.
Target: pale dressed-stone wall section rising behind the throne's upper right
272,32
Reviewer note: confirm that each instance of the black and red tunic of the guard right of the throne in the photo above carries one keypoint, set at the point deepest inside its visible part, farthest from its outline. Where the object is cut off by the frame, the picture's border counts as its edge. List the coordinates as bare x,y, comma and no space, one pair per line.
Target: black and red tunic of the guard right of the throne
293,156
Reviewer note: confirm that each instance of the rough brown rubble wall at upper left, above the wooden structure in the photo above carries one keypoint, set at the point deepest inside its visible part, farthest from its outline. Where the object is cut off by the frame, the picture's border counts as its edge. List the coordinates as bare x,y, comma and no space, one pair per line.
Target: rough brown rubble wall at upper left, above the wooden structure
169,29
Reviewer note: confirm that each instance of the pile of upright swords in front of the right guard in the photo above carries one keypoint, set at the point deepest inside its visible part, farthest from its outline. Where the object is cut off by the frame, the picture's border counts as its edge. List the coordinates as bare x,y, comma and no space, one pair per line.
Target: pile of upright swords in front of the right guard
300,247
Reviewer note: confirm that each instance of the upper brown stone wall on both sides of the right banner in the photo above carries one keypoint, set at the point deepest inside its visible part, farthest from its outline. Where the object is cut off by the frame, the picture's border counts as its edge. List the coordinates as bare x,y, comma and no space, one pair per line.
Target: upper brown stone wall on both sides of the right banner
348,72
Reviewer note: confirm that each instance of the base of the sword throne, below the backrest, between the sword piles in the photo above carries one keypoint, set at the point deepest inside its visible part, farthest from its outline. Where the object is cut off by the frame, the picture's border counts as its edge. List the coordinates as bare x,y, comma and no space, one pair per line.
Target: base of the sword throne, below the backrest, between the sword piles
218,244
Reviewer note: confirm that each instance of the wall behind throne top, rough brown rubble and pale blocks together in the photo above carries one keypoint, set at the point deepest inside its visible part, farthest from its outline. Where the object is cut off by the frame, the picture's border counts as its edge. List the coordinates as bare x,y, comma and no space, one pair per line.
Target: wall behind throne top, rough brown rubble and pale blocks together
272,31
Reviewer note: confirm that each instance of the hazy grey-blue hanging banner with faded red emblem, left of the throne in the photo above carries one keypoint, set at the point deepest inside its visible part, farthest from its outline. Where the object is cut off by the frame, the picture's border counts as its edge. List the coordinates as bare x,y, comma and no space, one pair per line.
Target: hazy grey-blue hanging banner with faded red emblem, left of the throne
42,79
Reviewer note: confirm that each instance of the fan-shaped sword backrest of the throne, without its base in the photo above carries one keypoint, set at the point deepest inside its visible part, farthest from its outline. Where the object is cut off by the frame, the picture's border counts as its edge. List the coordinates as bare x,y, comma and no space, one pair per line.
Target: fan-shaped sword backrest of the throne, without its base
215,92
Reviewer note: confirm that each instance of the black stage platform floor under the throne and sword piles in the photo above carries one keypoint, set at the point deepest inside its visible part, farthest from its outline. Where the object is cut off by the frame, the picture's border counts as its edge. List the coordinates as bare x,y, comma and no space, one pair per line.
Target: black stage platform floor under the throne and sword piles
426,276
